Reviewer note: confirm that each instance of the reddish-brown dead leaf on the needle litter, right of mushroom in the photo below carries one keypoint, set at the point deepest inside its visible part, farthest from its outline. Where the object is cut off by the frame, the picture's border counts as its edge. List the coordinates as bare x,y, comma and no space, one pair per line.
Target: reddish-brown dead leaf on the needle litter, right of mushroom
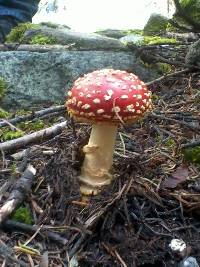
178,176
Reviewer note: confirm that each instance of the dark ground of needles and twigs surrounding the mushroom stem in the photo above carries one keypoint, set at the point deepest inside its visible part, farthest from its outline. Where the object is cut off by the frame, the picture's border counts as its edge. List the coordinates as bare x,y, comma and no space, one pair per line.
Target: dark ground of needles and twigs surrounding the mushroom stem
132,222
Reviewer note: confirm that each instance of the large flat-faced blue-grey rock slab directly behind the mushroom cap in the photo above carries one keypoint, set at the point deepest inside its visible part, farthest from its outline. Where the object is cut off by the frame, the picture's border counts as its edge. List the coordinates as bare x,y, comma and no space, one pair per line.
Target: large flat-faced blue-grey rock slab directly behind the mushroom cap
41,79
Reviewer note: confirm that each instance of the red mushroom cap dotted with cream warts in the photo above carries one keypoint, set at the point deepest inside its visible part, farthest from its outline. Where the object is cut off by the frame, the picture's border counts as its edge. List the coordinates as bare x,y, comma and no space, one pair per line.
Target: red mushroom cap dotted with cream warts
109,95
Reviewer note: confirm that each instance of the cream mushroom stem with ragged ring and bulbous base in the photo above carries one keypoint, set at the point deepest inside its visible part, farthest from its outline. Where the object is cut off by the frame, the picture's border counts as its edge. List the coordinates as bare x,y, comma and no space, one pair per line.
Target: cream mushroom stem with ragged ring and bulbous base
98,161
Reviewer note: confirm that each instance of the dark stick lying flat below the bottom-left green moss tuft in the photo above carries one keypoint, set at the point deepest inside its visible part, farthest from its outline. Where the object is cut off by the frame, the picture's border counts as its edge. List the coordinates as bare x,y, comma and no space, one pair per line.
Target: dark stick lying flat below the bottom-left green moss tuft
12,225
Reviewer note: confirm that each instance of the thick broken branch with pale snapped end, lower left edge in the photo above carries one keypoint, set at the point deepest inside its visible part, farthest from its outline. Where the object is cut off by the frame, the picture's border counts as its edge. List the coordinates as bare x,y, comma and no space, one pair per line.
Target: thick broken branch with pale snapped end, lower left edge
19,192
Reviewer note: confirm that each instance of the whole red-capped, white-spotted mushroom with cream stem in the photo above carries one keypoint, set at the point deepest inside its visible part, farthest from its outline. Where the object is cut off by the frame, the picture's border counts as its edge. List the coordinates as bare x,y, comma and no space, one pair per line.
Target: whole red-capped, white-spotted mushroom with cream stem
105,98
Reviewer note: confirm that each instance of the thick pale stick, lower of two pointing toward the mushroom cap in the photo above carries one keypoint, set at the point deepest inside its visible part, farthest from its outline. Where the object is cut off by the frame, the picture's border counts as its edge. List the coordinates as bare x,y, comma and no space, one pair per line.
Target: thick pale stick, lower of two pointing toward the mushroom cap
35,137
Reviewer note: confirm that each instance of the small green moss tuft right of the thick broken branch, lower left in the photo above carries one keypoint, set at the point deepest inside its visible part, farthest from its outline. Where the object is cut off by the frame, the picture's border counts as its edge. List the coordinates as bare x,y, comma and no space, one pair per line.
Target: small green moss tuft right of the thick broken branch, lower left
23,215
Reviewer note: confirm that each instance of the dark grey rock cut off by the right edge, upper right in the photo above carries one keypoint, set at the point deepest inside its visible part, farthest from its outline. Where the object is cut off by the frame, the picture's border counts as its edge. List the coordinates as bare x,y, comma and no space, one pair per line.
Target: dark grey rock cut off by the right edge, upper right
193,55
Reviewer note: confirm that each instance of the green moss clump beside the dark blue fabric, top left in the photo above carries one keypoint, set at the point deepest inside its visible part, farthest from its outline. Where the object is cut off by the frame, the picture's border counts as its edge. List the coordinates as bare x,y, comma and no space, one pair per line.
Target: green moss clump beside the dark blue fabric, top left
17,33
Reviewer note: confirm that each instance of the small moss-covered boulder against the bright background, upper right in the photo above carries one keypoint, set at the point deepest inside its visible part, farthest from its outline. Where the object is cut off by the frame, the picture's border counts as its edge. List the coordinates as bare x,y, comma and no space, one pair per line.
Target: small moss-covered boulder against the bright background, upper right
156,24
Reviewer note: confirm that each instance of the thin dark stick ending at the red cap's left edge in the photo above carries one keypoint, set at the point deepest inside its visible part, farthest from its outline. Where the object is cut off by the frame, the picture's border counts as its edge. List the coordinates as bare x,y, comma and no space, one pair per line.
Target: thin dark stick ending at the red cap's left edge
33,115
